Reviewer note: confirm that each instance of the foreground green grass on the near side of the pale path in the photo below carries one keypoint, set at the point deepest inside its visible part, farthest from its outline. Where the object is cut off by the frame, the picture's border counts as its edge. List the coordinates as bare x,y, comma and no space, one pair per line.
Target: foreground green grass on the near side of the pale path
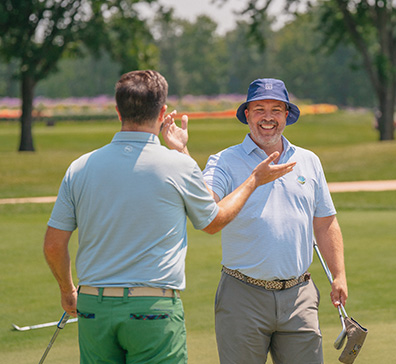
30,294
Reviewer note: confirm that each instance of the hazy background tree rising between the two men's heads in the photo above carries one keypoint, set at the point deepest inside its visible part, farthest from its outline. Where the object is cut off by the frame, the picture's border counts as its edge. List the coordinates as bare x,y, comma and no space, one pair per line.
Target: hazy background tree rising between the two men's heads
192,56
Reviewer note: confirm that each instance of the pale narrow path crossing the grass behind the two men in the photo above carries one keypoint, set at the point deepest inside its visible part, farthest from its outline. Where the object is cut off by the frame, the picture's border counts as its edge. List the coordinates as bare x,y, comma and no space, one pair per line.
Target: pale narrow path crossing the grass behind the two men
389,185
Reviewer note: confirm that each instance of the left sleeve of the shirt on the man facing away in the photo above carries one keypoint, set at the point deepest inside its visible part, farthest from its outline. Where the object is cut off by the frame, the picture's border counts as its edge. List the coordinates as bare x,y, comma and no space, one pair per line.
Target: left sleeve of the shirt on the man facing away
63,215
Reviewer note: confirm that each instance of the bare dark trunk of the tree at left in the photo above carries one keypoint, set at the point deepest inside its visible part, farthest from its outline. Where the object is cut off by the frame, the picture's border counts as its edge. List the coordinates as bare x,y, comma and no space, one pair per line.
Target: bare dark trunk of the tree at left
27,92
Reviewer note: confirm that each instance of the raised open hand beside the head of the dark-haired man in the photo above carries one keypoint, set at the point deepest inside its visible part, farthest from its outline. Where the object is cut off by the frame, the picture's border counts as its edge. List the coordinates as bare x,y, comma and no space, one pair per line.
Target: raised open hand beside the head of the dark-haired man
175,137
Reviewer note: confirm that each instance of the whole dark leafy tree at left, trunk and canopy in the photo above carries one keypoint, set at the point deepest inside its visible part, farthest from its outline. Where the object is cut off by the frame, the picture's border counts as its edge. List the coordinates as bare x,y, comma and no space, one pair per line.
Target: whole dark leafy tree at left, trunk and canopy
37,33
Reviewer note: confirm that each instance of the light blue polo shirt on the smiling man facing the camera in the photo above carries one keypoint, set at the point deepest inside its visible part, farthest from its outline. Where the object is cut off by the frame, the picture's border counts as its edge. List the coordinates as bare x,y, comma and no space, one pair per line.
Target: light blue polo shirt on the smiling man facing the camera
272,237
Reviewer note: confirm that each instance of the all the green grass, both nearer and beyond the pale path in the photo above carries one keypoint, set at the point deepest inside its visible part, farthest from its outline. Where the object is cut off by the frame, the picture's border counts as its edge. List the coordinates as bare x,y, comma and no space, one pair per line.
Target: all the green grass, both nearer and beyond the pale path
348,148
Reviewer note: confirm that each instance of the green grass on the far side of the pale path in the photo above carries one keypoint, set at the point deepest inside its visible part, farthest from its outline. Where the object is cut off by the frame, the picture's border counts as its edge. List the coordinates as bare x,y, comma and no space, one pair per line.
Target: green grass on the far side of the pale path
345,141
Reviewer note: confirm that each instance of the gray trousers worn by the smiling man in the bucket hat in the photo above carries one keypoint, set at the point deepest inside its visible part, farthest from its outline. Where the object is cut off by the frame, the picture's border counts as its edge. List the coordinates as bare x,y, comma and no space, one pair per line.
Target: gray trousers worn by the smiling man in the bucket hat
251,321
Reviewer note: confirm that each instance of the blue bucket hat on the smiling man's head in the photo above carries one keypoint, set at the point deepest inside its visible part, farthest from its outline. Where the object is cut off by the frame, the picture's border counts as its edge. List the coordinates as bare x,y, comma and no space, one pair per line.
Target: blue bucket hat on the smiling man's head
268,89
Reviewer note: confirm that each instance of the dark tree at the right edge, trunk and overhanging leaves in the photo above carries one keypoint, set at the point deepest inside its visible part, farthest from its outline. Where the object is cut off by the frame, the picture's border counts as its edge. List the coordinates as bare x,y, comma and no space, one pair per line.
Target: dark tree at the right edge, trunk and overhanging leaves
368,25
